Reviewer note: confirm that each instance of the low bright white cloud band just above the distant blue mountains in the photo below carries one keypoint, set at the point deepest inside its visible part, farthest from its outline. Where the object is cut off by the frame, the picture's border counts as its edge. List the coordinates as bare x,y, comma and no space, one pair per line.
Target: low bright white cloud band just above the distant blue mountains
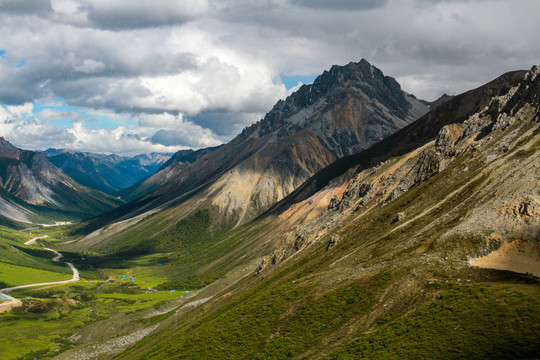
20,126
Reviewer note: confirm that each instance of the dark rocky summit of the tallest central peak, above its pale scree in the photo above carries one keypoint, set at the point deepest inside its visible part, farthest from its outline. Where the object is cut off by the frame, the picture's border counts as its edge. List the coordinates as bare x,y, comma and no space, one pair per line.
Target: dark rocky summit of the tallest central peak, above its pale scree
345,95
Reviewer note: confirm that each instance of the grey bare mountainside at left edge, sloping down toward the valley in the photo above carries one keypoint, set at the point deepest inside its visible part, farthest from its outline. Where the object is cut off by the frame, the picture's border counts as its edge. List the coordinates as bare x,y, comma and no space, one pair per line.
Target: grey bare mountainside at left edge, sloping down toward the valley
31,186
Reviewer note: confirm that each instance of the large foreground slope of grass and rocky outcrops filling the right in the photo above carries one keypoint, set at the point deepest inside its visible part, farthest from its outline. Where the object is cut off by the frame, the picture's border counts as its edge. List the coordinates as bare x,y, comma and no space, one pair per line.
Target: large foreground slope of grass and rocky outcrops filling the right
391,261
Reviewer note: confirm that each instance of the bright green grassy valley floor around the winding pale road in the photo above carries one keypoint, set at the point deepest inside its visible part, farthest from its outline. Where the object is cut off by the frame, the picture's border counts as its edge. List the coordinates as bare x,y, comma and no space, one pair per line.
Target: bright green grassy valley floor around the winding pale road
49,315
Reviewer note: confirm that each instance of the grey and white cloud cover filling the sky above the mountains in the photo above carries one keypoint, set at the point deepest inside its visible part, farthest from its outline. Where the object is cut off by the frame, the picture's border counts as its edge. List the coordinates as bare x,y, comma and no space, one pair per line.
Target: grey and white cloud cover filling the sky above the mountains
192,73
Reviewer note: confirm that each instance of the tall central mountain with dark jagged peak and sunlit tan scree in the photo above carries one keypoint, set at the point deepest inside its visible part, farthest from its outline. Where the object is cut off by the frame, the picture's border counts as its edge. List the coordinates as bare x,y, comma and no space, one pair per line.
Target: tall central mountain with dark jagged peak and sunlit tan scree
345,110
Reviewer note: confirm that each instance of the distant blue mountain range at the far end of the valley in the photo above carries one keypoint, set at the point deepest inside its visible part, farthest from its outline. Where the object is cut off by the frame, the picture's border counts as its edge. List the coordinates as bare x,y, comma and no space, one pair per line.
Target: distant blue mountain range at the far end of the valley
107,173
